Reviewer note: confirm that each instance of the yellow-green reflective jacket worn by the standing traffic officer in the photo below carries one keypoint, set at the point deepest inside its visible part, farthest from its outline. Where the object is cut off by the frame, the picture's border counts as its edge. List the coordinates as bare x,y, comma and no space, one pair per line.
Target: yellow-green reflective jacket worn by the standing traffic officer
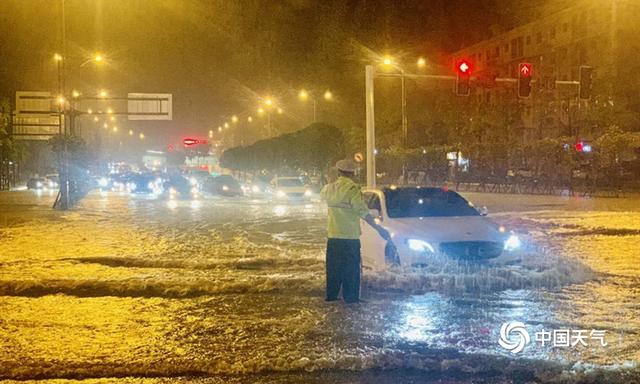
346,207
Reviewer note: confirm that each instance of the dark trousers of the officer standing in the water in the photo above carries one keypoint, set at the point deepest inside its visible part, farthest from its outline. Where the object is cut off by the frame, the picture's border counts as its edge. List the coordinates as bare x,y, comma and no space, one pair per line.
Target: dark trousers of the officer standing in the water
343,269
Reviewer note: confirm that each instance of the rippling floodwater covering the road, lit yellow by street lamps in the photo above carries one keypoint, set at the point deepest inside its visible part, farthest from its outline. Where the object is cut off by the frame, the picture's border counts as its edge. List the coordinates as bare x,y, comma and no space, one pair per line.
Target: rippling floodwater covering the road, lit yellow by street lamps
231,290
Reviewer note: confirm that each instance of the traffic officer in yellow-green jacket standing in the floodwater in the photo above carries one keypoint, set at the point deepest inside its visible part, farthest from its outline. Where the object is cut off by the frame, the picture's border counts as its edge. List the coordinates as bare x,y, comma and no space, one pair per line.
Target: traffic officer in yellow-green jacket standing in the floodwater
346,207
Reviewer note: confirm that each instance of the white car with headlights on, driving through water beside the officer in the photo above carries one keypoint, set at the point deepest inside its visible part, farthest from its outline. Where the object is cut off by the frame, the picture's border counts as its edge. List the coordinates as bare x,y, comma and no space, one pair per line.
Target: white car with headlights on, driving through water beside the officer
424,222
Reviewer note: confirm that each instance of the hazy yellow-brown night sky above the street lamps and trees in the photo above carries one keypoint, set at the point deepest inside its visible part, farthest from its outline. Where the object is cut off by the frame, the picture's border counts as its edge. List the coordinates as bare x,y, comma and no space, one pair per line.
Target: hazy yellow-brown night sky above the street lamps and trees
218,57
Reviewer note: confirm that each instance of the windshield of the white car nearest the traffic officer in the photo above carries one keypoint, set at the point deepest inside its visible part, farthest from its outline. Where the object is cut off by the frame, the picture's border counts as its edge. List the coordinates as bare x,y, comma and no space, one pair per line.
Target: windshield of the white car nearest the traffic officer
426,202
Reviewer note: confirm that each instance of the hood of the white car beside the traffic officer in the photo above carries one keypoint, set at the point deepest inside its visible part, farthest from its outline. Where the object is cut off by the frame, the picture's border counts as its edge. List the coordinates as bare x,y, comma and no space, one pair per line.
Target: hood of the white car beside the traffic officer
446,229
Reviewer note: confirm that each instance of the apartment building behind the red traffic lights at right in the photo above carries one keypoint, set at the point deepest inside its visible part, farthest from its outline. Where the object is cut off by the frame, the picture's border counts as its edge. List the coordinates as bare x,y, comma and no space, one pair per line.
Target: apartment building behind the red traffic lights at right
597,33
